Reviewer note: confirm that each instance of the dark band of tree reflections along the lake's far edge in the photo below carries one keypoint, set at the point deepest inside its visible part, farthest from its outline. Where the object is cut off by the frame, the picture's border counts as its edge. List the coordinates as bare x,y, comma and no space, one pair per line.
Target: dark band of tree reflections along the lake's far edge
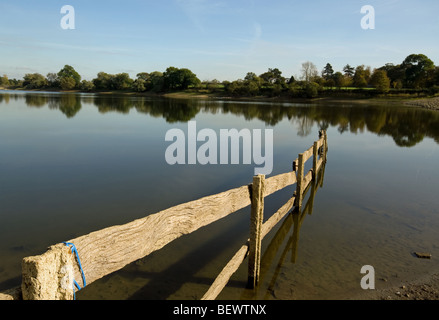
407,126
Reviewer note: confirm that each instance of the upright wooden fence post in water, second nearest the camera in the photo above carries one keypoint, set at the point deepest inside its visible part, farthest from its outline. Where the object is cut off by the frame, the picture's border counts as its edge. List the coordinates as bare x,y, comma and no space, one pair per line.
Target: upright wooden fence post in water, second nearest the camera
256,220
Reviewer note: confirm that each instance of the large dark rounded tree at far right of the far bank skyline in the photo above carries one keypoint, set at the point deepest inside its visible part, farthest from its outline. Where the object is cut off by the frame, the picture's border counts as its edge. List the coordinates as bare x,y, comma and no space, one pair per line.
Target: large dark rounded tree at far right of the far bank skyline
417,67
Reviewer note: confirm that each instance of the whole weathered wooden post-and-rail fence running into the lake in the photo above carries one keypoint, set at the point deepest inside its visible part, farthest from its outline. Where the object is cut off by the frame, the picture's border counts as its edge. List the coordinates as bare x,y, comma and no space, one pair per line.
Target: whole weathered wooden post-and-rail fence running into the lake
50,275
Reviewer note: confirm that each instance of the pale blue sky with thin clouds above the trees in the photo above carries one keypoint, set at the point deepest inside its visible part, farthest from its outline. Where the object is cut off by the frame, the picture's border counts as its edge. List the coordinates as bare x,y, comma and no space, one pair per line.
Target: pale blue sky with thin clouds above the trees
216,39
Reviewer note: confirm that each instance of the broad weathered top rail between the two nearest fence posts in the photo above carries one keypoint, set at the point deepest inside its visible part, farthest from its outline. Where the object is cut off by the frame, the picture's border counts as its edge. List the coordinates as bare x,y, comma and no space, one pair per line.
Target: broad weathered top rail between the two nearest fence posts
108,250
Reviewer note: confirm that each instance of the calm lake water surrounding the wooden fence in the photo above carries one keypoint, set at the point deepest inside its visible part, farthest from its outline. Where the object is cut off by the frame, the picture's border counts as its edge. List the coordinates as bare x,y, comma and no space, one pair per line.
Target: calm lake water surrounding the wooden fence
73,164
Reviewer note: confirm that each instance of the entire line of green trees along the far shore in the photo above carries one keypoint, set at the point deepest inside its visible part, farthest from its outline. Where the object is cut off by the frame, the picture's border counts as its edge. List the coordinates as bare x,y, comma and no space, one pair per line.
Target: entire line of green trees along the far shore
416,72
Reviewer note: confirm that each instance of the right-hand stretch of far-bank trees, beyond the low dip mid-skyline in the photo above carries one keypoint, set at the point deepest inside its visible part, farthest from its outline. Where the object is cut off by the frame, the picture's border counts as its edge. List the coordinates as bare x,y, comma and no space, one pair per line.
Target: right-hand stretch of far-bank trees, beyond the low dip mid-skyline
416,72
